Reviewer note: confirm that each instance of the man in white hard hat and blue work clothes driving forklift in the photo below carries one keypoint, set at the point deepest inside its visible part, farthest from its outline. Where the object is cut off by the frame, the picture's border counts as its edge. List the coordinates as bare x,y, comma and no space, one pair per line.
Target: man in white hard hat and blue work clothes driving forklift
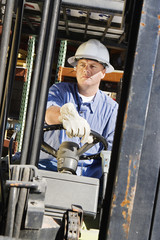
82,106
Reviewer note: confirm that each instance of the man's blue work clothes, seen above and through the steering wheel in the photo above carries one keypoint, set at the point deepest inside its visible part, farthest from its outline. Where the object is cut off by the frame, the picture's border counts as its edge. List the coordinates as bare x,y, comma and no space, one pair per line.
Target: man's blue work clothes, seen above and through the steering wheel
100,113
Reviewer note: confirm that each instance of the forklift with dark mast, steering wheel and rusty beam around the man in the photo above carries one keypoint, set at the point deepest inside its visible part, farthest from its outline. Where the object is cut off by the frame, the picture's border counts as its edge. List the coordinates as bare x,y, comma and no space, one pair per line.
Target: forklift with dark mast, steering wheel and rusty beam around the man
37,204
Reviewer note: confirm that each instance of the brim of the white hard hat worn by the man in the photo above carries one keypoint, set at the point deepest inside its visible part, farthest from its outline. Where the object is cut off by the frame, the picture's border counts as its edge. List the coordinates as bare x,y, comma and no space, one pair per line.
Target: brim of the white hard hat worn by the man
73,62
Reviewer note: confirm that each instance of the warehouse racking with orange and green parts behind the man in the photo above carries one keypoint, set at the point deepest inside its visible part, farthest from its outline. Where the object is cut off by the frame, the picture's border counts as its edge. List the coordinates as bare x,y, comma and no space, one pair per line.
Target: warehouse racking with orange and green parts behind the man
109,23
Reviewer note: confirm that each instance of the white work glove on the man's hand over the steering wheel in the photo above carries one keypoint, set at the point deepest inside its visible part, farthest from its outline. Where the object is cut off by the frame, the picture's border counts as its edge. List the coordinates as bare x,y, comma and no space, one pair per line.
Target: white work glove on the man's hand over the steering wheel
75,125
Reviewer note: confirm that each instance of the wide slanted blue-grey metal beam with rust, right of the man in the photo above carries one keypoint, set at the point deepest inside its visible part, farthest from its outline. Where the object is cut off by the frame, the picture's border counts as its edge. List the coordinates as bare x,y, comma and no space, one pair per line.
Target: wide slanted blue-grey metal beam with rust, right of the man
134,143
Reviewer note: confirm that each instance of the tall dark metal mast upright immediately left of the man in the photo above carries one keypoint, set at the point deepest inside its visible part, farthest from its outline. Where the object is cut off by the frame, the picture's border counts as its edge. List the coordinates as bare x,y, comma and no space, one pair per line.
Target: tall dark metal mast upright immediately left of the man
39,91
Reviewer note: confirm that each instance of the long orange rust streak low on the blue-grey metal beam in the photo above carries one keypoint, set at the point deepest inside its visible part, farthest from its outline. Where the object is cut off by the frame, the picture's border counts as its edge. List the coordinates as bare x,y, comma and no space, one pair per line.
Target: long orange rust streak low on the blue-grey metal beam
127,203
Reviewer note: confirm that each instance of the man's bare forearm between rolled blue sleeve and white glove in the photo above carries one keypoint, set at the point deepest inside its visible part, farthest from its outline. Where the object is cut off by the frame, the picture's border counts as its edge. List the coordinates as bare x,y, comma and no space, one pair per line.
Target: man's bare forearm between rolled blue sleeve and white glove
52,115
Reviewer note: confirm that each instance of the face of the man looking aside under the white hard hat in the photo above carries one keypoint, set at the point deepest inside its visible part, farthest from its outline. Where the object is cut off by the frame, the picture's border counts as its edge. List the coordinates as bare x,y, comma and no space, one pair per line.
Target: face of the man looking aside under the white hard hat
85,71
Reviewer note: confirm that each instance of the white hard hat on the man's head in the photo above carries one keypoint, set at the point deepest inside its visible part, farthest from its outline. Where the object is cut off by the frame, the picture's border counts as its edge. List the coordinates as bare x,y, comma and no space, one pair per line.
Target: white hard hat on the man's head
92,49
